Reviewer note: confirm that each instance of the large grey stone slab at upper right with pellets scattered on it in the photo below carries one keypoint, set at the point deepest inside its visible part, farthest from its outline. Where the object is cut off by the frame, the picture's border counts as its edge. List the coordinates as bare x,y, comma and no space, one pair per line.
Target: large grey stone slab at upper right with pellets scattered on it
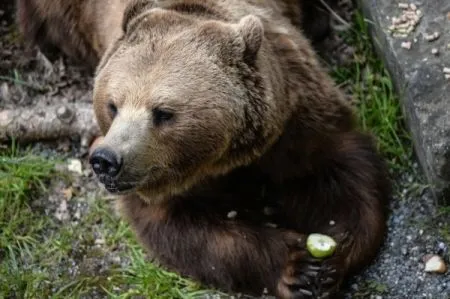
419,79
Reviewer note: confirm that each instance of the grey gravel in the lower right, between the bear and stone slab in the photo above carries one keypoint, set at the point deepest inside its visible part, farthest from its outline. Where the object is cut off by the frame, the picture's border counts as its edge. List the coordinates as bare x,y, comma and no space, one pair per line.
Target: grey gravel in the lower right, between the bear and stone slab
415,230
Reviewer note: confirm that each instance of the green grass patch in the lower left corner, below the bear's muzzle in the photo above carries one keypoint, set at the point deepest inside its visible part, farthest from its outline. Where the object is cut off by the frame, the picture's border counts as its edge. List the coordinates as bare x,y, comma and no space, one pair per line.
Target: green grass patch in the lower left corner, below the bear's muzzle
41,257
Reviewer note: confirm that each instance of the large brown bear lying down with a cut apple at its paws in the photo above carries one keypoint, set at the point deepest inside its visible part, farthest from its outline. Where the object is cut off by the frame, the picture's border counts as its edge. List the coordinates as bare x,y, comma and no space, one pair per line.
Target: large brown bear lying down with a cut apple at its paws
229,144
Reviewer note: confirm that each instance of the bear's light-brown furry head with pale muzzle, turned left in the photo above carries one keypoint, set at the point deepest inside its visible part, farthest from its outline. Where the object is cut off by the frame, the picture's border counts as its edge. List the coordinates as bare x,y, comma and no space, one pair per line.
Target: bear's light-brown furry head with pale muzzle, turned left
179,99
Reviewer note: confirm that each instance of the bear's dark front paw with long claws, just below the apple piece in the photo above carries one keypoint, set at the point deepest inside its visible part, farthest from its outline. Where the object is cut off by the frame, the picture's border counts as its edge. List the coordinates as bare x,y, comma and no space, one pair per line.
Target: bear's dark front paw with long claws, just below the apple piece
307,277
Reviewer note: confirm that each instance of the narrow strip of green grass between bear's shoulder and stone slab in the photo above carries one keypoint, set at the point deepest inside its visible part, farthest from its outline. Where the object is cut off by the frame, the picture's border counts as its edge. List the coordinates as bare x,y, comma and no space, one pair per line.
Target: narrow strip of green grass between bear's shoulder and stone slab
373,92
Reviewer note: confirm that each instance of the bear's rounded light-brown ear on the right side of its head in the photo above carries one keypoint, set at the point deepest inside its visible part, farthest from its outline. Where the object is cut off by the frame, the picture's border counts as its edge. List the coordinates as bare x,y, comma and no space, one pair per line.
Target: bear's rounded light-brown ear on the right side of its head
252,30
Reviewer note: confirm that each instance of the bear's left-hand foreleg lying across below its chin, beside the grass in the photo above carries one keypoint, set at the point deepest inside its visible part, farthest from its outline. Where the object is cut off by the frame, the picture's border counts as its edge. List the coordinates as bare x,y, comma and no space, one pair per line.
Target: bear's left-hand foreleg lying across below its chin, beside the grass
190,238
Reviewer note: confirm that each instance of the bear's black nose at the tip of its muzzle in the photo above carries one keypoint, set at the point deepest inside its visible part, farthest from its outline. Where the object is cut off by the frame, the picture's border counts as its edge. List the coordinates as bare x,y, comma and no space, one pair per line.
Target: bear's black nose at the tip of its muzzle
105,161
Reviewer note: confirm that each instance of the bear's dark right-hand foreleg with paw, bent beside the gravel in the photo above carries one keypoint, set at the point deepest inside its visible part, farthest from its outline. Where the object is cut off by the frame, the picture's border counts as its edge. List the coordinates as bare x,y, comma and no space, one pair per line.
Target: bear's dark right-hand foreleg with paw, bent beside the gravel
346,199
